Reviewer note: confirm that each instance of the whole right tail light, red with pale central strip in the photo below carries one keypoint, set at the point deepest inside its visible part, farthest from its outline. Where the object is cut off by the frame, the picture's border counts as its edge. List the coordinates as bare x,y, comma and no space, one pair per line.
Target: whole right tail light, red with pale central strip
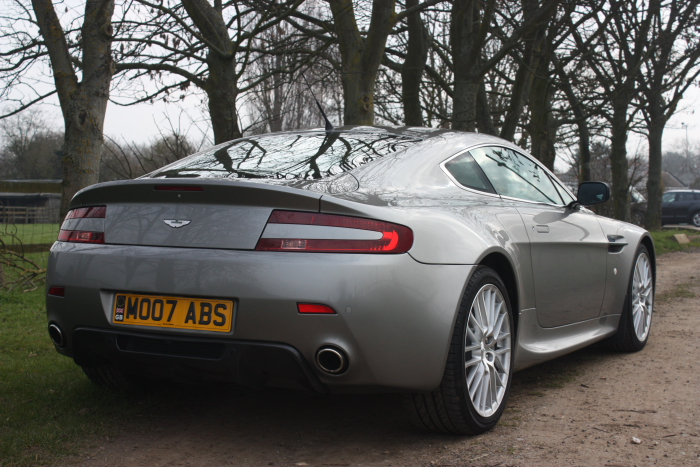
329,233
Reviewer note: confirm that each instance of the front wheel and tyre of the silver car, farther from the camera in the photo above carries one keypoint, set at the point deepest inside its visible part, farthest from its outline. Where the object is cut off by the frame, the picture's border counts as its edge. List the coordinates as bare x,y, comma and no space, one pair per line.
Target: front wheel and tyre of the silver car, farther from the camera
635,321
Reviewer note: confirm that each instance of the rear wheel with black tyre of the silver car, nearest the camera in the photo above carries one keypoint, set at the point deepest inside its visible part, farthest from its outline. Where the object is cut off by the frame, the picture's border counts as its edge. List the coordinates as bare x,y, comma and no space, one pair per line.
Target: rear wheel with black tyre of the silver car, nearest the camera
462,404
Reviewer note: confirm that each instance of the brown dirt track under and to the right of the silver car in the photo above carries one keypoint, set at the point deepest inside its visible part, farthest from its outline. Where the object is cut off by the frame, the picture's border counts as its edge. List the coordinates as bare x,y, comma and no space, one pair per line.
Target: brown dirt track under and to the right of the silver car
586,409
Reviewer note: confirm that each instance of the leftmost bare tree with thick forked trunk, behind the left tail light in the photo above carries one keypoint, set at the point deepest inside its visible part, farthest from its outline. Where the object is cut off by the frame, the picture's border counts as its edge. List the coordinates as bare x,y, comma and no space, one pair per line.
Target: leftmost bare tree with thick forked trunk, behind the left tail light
82,71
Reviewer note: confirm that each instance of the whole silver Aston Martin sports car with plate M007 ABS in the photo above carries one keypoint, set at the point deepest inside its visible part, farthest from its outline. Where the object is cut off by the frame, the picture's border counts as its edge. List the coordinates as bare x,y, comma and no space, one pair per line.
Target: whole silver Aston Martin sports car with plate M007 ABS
428,262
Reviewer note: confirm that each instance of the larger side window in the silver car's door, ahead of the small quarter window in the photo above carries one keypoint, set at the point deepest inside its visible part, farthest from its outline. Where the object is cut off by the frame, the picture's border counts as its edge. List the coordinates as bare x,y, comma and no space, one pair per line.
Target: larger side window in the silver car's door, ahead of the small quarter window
516,176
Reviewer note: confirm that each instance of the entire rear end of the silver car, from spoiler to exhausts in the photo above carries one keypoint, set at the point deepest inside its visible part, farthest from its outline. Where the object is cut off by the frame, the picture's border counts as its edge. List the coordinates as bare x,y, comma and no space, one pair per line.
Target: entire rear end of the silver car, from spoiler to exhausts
246,282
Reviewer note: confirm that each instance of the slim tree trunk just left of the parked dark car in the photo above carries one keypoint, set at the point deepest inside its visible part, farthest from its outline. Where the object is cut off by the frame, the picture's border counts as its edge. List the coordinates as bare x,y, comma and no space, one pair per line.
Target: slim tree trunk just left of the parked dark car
655,188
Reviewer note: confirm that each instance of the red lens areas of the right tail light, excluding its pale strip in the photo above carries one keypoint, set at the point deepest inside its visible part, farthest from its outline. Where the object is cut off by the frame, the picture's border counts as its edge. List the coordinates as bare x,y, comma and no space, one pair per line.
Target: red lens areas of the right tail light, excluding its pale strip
395,238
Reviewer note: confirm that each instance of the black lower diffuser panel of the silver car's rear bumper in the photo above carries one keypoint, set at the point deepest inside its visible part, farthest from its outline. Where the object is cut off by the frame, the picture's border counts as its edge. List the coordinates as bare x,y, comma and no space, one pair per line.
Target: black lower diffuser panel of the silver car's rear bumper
253,364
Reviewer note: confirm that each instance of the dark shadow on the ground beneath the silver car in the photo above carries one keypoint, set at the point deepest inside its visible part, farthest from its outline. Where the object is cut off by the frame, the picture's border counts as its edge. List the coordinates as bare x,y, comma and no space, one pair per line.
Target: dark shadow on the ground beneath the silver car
285,426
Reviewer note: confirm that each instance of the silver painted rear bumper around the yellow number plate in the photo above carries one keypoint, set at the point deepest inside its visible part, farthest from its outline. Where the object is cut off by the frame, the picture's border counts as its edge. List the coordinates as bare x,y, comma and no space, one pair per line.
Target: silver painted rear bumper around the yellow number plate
394,318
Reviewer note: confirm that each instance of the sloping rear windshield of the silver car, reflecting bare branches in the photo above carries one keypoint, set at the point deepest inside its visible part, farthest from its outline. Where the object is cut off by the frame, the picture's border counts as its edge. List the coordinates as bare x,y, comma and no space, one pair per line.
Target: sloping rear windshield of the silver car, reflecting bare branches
288,156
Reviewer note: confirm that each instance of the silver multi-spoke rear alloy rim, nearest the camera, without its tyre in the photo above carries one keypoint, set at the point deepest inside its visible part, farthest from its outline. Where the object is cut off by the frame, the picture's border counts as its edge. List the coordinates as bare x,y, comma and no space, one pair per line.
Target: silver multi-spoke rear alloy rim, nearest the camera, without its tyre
487,350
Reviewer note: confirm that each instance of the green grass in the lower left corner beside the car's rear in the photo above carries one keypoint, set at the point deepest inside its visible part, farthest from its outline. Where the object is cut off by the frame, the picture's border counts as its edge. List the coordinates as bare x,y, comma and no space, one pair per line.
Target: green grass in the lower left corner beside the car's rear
42,393
